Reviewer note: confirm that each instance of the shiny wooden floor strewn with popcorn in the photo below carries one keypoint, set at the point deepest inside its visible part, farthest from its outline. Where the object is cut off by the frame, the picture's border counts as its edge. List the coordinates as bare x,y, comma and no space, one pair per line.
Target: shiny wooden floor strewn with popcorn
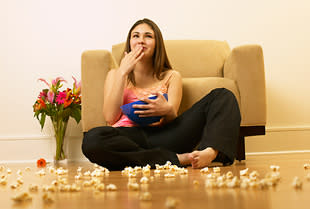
180,188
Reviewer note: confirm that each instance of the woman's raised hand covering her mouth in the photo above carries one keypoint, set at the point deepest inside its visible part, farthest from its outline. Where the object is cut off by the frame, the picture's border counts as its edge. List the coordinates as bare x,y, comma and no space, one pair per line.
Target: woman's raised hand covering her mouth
130,60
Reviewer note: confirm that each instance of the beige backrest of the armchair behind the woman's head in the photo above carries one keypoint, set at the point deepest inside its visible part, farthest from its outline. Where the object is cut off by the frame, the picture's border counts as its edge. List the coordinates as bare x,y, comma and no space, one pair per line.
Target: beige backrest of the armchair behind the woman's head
192,58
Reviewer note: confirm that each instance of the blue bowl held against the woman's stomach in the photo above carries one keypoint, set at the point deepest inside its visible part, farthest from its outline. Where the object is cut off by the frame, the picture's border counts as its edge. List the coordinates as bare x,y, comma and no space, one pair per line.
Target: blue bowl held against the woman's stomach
128,110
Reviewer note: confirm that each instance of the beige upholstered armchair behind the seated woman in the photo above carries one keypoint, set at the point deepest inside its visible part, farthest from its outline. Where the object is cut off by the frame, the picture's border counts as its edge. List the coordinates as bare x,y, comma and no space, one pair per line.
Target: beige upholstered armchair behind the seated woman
204,65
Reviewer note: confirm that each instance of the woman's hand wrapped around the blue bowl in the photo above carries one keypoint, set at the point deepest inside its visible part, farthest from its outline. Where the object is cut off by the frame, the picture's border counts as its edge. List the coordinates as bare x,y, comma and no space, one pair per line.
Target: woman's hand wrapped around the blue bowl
154,107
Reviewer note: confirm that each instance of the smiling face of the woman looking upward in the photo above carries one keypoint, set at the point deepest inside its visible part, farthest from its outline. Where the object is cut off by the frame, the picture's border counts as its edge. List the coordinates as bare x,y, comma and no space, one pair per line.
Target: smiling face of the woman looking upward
143,36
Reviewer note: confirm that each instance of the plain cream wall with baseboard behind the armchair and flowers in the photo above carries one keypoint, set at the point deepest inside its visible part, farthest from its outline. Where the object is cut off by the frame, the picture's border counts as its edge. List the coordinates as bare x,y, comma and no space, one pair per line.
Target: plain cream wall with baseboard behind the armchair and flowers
45,39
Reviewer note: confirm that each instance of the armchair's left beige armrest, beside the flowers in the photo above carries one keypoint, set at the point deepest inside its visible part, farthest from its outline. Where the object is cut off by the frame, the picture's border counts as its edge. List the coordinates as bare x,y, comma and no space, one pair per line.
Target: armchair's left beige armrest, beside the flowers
95,66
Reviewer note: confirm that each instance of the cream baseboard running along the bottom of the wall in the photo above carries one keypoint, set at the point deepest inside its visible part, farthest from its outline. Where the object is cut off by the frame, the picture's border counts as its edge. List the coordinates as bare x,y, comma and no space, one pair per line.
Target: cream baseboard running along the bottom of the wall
29,148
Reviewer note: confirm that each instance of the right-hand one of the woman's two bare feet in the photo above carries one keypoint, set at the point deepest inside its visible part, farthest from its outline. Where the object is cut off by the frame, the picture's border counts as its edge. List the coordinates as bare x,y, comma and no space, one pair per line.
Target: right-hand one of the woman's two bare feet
203,158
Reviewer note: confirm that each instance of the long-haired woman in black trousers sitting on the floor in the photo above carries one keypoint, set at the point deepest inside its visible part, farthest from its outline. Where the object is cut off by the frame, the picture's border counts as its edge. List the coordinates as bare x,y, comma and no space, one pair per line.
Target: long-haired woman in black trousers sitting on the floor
211,125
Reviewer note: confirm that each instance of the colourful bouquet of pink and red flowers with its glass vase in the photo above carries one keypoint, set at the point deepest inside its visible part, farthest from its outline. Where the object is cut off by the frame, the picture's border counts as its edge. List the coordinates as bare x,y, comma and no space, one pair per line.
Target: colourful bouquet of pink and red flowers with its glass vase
59,106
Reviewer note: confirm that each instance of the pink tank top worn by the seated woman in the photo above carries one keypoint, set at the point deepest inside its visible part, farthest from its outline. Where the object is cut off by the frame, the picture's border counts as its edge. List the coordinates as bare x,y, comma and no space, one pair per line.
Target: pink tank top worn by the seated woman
133,93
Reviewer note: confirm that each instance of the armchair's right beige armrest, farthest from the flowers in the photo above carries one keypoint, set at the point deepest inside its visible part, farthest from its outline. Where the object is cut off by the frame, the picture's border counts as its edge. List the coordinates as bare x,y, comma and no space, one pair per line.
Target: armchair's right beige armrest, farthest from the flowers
245,65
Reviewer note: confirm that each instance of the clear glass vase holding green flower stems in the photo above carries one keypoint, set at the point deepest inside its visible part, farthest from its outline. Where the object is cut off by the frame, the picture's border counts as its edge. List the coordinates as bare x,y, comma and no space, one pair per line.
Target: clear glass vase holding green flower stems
60,127
